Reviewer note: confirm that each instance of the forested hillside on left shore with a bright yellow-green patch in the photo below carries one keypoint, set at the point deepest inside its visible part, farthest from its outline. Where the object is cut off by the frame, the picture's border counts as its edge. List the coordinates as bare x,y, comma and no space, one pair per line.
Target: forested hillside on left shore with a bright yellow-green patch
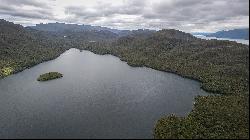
21,48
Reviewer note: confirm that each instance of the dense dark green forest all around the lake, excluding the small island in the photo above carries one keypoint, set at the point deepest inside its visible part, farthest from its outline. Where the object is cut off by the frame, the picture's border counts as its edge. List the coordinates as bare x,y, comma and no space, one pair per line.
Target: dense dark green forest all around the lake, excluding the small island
222,67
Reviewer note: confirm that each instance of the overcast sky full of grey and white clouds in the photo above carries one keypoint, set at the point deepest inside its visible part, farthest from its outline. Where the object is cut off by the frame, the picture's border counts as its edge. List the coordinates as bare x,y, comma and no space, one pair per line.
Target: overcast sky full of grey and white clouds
185,15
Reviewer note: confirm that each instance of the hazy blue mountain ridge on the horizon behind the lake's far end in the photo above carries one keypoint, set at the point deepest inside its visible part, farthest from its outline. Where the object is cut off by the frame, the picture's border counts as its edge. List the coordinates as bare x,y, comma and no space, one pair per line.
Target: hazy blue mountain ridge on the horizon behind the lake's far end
76,32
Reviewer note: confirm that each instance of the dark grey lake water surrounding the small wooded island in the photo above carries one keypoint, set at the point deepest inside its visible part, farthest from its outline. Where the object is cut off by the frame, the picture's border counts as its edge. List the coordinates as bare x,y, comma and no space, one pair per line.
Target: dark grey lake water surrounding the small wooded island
98,97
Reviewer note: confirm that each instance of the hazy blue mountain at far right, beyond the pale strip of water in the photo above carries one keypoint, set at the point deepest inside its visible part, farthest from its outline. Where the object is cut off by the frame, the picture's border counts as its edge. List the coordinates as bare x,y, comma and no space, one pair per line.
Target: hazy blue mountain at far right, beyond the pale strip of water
232,34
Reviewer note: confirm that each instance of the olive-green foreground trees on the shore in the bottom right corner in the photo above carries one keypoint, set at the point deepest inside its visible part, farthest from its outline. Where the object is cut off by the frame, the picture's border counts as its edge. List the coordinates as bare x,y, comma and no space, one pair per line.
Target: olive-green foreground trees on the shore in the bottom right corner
213,117
